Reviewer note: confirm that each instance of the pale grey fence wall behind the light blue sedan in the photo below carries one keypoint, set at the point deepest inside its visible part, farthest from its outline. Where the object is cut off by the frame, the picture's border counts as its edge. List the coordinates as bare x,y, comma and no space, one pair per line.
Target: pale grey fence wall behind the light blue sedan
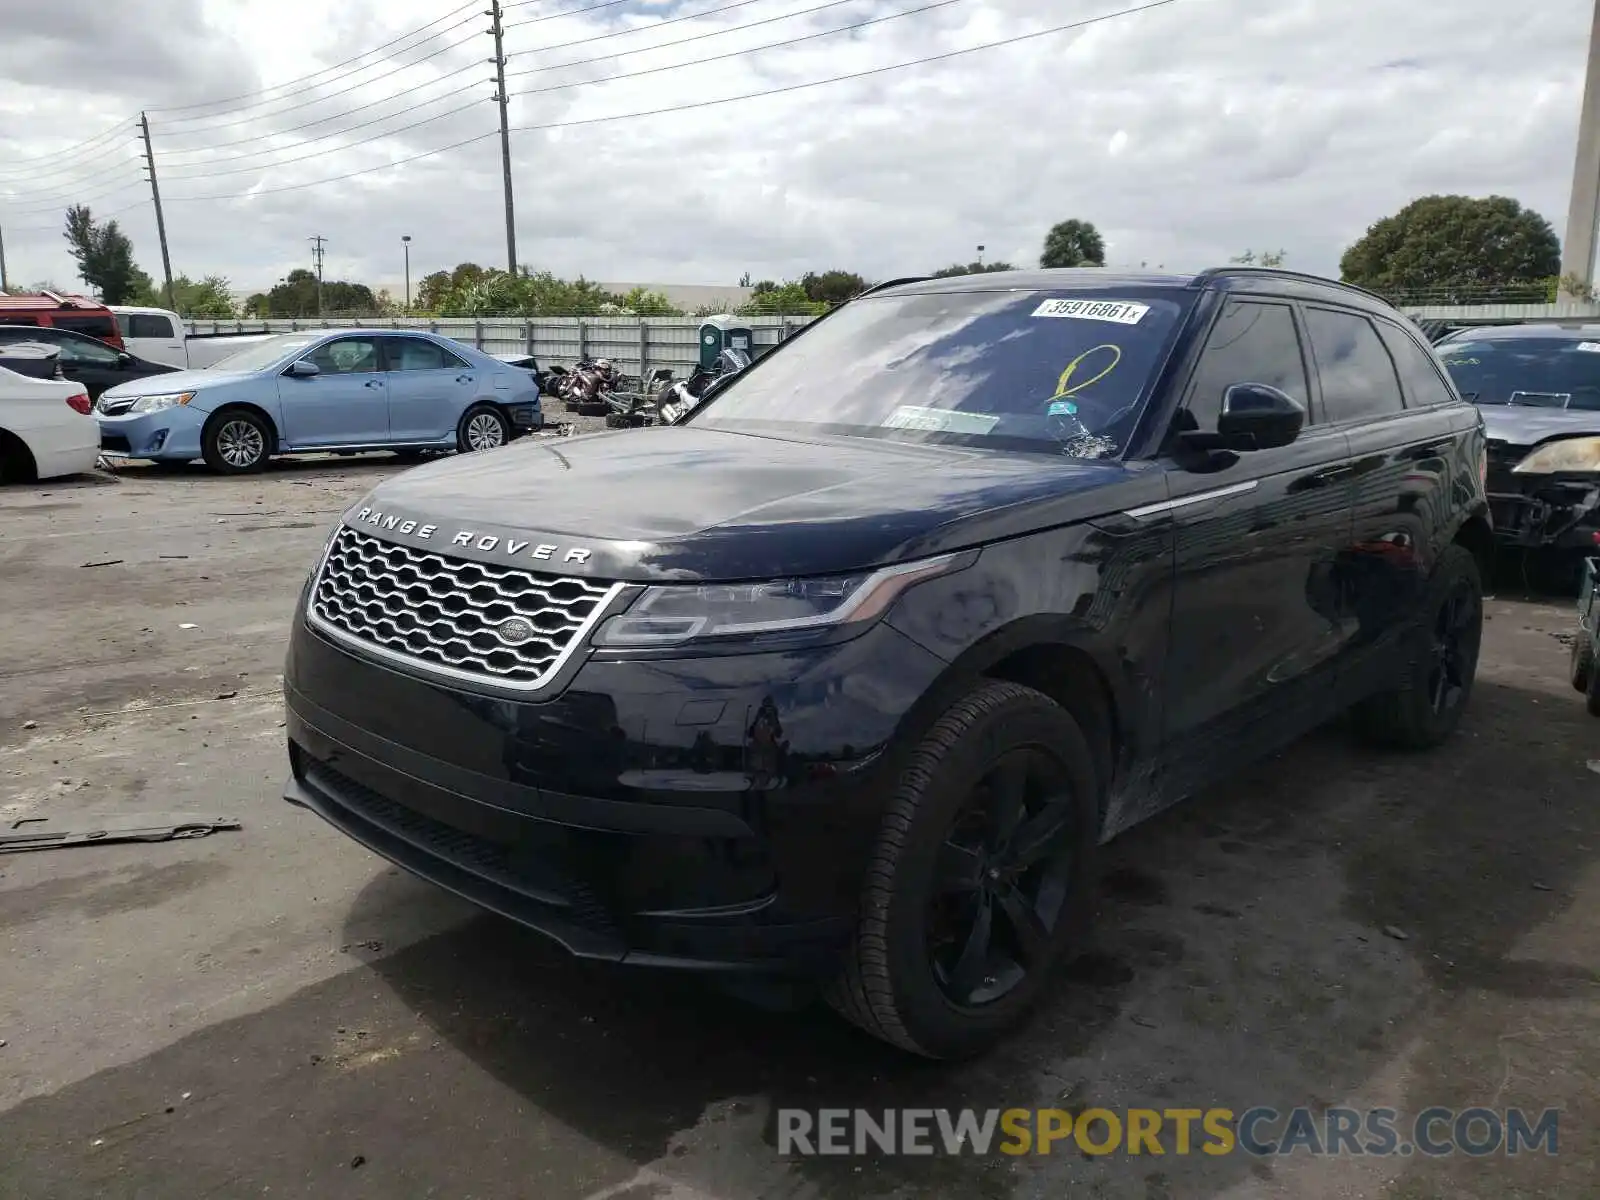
636,345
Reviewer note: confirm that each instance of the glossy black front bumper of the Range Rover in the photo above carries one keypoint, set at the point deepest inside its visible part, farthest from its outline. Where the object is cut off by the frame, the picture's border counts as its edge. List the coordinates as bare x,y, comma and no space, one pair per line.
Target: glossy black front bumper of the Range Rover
692,814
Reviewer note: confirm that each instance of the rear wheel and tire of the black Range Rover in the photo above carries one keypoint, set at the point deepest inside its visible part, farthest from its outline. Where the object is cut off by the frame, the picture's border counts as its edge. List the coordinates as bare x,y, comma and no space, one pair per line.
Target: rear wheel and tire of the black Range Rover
1442,663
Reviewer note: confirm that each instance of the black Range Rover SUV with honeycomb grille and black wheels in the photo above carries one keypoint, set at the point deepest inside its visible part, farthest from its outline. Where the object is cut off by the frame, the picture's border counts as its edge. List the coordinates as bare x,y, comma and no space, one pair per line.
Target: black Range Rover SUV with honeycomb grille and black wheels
849,676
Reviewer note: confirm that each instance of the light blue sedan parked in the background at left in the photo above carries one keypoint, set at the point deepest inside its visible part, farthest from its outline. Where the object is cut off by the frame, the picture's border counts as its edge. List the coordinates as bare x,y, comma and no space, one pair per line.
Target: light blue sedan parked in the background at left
321,391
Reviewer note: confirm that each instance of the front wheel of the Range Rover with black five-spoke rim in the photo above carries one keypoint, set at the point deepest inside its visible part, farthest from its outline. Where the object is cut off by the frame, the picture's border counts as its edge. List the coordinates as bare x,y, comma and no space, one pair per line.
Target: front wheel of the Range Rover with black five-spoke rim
982,876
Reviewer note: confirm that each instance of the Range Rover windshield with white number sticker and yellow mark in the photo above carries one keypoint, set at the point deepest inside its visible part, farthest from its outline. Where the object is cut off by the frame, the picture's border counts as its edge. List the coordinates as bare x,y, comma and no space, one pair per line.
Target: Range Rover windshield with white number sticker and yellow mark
1047,372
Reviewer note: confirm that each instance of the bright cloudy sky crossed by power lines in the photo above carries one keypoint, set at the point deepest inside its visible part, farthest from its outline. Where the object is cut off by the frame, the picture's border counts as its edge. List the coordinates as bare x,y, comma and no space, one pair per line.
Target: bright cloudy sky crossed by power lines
1188,134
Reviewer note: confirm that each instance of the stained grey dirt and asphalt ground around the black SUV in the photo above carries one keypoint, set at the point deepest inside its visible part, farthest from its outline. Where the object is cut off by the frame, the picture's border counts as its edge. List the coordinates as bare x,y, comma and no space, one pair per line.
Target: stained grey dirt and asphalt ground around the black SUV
278,1012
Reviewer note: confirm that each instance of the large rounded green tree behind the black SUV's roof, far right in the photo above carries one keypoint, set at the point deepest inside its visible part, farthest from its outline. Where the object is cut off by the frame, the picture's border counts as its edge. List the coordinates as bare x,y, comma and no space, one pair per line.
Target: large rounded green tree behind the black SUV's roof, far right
1455,244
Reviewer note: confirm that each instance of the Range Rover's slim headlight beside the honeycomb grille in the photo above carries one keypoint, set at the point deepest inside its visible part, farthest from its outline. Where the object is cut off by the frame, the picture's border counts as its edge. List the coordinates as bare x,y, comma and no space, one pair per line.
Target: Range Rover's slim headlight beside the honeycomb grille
670,615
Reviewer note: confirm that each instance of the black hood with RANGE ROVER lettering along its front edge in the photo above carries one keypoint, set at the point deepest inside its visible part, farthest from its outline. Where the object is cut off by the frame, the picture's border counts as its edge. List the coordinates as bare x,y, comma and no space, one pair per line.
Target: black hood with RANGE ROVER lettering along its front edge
689,503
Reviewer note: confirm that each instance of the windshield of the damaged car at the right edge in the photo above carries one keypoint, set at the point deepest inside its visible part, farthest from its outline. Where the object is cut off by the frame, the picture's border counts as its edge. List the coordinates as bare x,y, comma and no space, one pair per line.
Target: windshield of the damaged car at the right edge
1534,372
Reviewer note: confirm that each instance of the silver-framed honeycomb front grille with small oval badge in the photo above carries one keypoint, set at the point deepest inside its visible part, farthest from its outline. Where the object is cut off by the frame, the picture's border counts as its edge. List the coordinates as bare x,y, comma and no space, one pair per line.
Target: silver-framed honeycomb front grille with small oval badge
450,615
